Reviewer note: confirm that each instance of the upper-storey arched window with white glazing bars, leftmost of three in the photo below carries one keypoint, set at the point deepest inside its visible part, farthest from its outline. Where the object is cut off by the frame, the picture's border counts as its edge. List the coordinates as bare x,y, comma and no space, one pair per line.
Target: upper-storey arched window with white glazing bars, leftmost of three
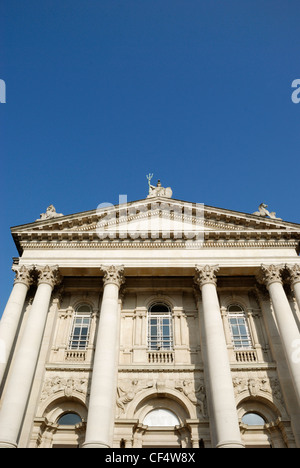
81,328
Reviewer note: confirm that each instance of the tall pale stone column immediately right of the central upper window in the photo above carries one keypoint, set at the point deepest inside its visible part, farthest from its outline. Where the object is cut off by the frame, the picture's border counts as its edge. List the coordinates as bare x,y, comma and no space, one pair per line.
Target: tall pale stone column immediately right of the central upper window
225,426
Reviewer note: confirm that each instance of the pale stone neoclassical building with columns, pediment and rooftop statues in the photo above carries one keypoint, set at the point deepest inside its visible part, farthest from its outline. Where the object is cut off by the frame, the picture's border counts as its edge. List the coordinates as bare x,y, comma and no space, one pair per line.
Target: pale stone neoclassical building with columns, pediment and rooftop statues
154,323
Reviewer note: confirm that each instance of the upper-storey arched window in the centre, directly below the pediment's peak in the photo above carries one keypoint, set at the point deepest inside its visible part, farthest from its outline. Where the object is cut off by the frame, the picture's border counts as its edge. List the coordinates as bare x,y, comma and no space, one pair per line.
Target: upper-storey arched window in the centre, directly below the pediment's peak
160,333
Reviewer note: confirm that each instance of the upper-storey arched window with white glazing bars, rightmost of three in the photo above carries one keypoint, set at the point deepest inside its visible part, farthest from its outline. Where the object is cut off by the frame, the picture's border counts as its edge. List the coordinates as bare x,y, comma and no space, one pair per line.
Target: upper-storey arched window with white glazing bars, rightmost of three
239,328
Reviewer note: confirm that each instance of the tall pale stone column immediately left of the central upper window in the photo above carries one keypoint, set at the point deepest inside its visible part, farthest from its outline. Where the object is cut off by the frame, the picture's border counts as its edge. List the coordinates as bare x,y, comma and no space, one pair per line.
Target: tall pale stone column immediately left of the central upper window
101,412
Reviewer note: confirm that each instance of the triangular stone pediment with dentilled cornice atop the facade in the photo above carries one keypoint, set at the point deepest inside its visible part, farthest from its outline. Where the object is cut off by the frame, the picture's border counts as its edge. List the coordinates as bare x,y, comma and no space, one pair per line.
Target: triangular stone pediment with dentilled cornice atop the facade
159,218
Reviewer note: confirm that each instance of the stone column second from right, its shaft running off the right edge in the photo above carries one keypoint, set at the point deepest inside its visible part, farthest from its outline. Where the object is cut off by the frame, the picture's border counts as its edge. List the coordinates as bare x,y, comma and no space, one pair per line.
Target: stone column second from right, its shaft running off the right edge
288,330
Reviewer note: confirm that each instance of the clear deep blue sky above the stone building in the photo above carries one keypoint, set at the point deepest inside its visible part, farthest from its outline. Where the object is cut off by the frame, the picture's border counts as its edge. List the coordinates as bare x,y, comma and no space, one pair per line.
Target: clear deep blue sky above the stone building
101,92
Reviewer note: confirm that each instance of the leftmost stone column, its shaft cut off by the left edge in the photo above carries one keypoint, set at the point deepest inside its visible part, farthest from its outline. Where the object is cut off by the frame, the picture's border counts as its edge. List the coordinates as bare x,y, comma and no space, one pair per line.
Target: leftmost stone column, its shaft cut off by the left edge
12,314
